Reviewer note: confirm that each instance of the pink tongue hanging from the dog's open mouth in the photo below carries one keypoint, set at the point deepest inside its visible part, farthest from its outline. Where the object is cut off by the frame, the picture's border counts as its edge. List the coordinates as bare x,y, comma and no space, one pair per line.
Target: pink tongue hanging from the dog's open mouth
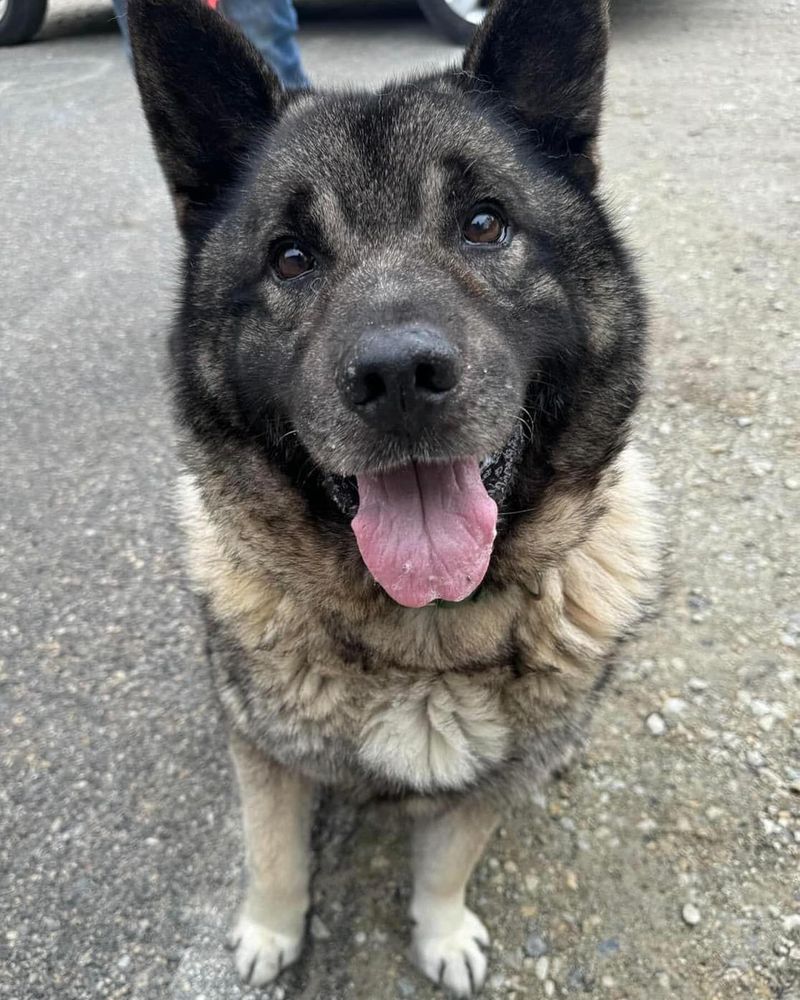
426,531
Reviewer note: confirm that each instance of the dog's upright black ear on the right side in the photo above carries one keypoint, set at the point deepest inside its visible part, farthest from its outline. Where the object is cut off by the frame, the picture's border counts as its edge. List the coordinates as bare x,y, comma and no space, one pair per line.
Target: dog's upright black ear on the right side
546,59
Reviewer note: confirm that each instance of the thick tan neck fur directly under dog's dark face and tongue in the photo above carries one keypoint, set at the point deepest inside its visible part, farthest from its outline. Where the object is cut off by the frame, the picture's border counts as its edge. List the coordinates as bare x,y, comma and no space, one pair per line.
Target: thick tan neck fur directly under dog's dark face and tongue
260,541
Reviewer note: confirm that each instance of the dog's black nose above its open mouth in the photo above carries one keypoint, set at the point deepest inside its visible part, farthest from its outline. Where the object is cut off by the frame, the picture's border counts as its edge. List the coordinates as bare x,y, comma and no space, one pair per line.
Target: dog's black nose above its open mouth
396,379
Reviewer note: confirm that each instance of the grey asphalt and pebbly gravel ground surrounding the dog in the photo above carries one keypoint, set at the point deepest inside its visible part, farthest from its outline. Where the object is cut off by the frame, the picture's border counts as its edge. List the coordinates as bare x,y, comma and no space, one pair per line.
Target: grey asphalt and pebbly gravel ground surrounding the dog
667,864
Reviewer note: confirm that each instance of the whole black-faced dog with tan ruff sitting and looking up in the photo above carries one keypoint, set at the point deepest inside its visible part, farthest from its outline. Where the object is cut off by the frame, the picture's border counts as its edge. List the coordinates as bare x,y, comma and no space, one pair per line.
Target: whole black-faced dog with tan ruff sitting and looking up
406,358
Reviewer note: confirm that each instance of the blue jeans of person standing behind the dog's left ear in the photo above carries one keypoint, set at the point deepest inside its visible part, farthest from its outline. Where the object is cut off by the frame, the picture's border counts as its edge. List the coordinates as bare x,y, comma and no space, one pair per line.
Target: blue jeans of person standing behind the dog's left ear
271,25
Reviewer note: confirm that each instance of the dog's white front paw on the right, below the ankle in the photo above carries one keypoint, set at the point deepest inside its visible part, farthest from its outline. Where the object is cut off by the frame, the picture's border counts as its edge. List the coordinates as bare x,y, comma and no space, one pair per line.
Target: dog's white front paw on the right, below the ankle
455,960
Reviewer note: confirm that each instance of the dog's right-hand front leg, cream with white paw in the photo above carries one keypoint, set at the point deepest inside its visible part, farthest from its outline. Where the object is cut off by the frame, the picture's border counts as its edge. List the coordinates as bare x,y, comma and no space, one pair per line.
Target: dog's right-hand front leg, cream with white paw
448,939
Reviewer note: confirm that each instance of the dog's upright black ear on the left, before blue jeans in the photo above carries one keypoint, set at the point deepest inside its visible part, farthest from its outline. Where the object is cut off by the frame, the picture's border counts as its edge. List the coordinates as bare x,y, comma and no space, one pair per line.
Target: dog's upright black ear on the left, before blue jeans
207,96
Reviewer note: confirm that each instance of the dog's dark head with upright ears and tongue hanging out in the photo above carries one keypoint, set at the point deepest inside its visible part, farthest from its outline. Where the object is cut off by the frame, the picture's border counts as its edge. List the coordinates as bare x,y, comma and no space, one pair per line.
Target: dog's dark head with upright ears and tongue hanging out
410,300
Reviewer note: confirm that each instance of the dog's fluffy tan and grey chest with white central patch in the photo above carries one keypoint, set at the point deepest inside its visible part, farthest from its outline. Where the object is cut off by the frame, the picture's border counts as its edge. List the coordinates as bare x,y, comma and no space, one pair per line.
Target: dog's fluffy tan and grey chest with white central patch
418,706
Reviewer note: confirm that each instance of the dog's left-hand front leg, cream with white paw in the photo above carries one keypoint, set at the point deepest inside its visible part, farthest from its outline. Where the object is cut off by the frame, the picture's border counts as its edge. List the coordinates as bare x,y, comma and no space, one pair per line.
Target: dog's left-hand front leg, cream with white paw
276,810
